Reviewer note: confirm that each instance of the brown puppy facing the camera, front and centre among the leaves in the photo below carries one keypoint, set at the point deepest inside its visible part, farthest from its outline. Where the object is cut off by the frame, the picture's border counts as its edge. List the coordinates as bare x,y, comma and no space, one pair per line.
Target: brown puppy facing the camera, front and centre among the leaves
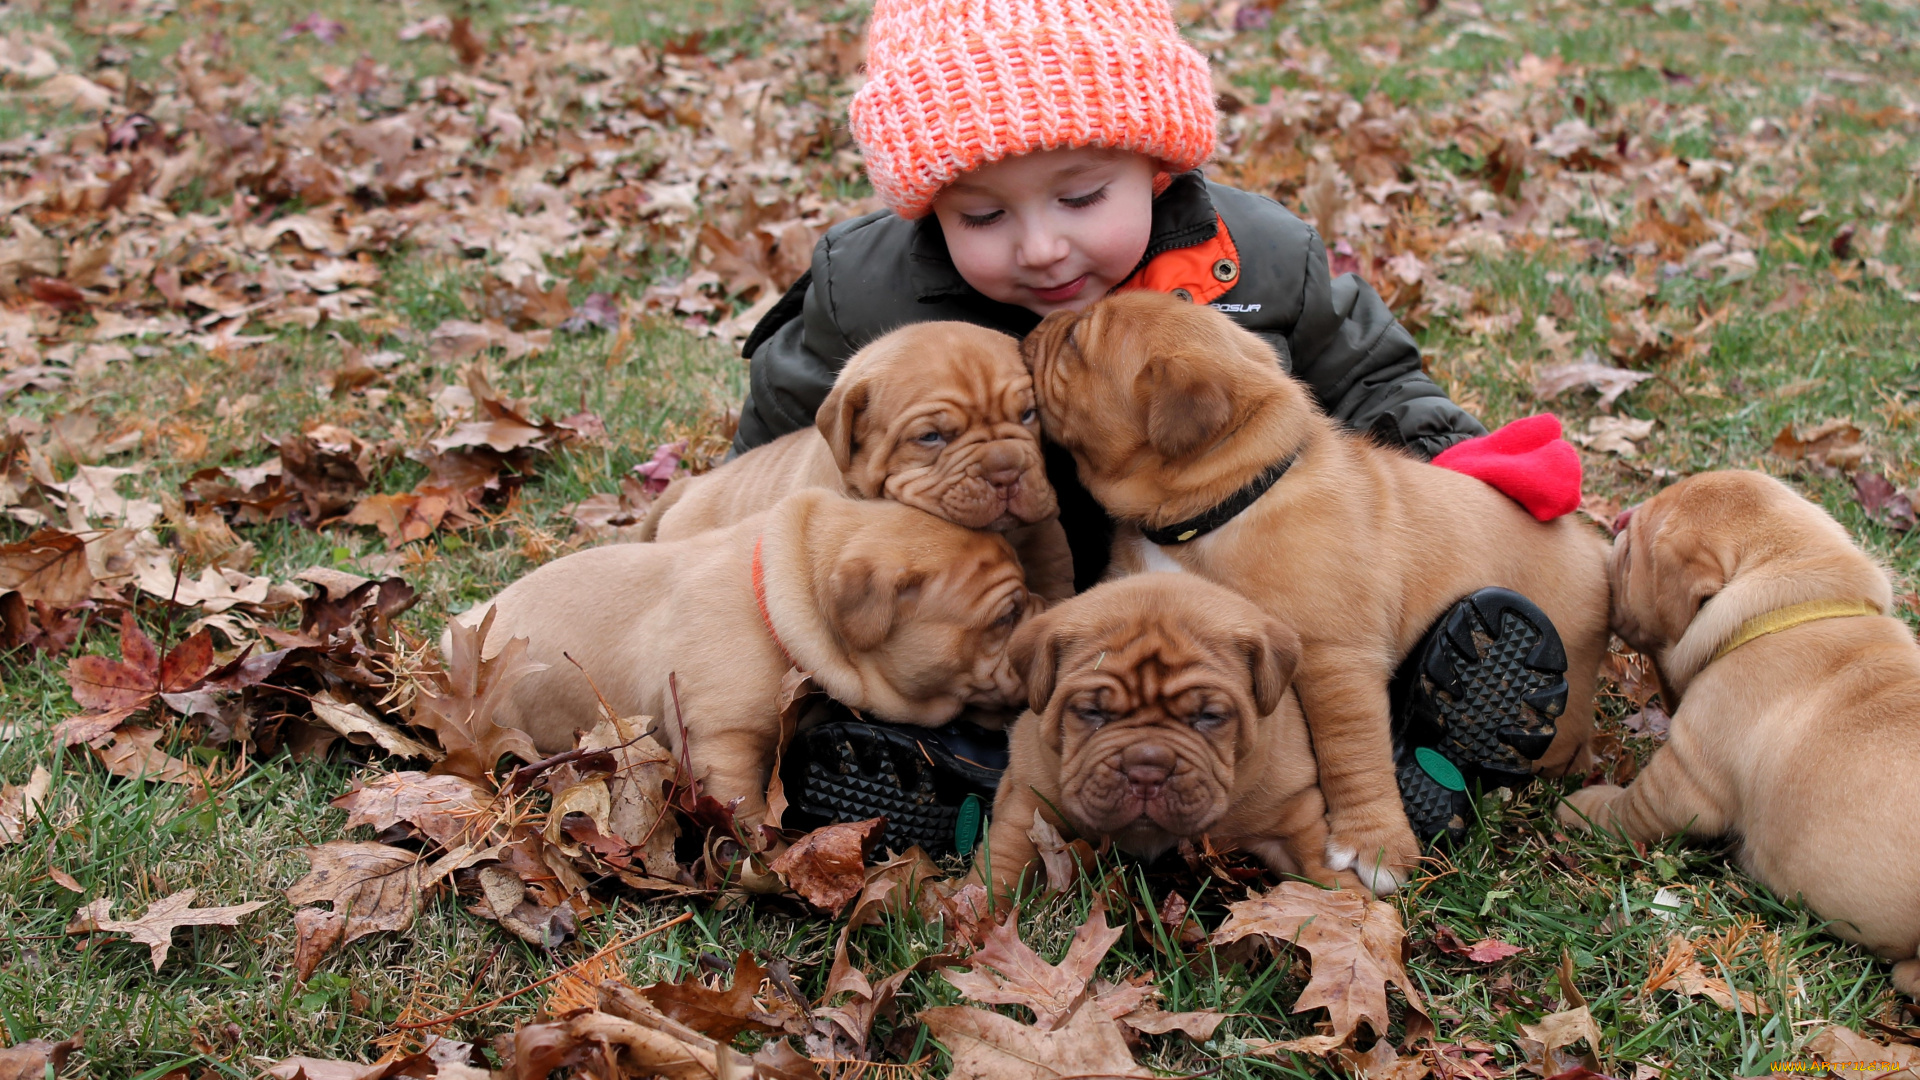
1161,712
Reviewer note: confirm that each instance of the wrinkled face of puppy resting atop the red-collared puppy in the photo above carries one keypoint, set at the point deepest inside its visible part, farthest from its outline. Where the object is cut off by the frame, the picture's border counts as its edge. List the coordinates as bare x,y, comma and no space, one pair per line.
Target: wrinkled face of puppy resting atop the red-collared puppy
942,418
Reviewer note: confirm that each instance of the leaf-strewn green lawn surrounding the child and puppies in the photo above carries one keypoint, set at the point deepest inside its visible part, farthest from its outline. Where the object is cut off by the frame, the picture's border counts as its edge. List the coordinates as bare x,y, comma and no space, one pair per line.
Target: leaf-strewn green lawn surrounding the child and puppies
237,224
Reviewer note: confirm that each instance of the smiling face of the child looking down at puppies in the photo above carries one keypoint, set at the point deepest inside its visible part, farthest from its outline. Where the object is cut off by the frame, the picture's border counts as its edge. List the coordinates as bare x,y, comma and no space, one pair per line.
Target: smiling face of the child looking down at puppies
1049,232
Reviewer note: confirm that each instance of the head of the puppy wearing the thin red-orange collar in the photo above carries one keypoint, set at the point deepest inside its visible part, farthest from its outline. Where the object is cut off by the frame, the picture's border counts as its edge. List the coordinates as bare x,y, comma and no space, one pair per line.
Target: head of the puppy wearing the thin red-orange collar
926,612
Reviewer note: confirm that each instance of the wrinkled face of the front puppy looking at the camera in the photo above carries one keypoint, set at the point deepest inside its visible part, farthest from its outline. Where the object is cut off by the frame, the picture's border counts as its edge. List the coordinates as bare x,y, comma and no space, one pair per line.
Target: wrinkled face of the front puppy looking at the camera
1153,691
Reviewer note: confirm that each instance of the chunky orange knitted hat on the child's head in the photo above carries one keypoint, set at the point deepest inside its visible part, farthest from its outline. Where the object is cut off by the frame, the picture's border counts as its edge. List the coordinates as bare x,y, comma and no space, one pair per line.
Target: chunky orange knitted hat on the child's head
959,84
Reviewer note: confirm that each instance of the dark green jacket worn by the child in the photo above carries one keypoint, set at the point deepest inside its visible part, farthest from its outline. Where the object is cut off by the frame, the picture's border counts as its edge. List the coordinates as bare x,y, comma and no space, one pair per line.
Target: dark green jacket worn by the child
880,272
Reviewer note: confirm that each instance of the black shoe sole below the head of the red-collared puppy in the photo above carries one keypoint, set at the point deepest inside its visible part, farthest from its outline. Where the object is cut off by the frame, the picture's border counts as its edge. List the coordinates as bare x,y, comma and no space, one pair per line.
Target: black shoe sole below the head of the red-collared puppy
930,785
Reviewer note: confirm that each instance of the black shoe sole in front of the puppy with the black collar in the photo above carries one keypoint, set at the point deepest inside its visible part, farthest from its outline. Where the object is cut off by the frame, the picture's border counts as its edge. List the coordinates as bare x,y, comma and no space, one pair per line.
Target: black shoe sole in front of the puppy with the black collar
1485,689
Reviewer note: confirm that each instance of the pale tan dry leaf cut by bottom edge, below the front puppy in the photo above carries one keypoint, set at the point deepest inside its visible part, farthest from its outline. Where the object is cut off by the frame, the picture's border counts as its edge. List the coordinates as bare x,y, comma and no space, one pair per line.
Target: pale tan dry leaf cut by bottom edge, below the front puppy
988,1046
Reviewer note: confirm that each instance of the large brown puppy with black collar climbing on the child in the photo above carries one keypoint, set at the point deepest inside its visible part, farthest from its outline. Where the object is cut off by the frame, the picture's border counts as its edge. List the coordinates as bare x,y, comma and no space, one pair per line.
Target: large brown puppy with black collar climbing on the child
1170,410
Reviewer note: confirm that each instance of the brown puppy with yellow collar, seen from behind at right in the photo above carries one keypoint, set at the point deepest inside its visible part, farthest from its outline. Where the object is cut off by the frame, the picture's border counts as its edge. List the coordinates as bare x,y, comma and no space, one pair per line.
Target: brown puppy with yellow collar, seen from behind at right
1775,737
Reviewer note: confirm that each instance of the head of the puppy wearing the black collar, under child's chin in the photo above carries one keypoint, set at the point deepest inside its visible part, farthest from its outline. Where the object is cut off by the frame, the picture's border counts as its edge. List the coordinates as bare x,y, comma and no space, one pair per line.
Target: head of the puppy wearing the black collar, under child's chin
1141,385
